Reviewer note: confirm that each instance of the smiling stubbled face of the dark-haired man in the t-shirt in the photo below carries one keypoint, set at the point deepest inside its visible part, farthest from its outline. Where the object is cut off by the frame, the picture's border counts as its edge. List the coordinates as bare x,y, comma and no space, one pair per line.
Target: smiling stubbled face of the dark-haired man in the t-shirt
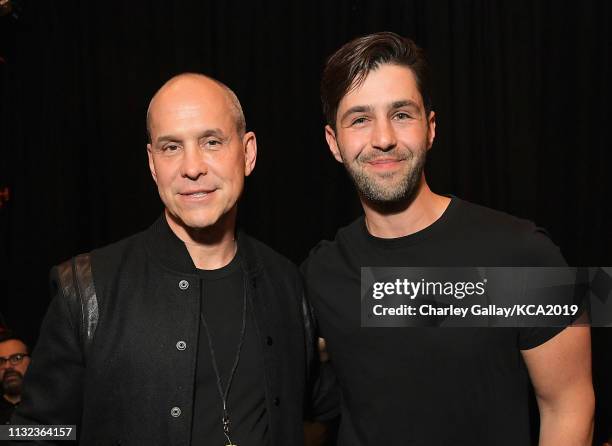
382,134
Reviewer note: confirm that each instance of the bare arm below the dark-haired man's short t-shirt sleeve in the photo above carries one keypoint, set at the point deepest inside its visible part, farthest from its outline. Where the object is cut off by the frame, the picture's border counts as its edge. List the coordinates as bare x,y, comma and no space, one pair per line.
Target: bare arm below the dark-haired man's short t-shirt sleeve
560,370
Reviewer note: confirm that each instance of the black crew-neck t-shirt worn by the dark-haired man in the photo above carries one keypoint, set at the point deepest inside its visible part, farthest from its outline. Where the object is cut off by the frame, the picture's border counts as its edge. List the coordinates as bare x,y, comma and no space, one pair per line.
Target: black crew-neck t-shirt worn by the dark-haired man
428,386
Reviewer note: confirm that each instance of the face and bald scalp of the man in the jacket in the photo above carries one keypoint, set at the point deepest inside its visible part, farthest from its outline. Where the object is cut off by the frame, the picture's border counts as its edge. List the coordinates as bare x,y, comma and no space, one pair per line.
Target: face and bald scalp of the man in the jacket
197,155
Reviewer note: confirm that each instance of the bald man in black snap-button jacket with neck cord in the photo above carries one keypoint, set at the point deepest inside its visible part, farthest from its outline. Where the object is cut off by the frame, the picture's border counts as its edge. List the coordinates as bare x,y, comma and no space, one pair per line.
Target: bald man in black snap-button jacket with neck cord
193,333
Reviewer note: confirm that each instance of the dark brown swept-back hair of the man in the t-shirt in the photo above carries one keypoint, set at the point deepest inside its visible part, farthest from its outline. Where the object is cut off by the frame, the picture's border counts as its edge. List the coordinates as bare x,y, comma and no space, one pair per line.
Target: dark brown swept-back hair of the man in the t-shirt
348,67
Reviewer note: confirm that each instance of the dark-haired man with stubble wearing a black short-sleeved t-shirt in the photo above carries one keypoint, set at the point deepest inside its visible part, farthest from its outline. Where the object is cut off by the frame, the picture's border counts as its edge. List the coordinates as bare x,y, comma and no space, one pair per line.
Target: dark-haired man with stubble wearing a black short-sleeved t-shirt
427,386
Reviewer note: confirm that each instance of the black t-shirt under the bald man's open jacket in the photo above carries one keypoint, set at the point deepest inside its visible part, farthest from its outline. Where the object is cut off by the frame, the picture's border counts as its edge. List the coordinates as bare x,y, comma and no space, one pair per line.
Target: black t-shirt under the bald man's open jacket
222,306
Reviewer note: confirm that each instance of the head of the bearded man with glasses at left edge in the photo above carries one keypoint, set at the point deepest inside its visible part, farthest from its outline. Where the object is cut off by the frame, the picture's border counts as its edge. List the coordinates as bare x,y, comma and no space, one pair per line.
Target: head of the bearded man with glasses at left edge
14,361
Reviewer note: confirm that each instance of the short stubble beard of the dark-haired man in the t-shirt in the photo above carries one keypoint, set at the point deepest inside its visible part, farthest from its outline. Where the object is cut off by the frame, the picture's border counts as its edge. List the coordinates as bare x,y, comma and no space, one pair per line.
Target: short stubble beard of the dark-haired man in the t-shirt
389,188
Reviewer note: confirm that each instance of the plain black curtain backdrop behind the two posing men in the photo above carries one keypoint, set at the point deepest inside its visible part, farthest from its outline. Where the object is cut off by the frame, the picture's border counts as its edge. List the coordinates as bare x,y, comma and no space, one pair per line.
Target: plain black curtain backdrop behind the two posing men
521,91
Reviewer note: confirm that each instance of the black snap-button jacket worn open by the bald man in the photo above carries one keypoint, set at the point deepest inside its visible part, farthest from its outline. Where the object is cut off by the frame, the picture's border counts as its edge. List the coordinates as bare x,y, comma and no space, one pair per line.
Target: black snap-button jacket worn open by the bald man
136,384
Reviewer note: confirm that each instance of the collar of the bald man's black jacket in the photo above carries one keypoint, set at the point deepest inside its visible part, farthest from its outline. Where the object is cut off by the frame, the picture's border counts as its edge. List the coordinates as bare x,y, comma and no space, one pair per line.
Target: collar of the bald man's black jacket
167,249
